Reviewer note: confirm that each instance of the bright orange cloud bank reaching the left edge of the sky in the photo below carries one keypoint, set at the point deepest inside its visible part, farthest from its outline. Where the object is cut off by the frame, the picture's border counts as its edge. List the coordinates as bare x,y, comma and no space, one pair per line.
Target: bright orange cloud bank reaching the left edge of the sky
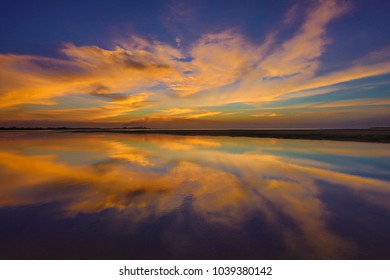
87,69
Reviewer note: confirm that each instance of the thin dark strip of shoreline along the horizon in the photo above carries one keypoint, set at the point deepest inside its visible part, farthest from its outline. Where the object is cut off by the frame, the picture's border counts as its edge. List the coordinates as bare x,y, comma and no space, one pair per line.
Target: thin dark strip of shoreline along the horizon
377,135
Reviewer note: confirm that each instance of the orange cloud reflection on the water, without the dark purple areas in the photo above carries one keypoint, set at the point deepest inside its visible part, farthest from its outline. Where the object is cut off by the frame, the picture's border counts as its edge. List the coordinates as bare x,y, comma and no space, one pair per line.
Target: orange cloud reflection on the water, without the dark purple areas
226,181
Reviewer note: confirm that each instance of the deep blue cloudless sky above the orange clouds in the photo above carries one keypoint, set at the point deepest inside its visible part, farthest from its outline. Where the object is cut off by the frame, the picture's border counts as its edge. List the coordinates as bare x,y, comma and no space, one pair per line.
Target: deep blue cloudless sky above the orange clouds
38,26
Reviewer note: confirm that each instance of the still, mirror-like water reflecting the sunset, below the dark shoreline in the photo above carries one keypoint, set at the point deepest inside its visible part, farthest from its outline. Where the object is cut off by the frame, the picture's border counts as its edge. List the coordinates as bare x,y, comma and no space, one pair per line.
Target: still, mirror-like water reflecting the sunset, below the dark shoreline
121,196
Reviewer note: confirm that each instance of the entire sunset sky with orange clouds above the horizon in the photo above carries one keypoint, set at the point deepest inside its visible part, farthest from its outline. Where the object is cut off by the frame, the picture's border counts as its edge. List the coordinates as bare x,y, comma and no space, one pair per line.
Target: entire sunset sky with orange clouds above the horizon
195,64
